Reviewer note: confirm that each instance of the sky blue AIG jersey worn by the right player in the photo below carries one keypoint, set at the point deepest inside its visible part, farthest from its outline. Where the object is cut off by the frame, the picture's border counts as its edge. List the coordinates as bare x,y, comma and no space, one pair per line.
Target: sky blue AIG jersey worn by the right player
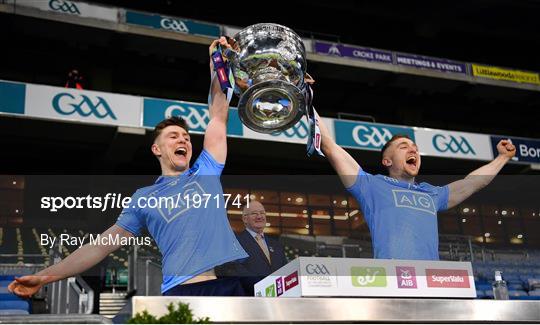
402,217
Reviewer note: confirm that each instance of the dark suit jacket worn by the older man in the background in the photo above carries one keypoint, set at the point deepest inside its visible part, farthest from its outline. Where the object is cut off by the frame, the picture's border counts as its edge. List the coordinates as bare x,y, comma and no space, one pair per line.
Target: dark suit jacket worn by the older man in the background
256,267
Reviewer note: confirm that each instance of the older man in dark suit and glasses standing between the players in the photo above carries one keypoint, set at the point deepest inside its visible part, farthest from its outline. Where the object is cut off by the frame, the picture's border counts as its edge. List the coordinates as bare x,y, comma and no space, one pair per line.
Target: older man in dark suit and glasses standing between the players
266,255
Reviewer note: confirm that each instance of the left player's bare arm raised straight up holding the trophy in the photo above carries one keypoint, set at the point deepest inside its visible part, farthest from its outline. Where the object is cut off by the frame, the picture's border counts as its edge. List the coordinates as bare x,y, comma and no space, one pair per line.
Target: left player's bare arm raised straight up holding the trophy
215,137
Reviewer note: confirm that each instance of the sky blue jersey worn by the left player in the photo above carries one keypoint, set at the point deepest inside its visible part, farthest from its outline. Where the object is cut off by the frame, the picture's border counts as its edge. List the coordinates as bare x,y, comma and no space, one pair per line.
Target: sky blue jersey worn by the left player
191,239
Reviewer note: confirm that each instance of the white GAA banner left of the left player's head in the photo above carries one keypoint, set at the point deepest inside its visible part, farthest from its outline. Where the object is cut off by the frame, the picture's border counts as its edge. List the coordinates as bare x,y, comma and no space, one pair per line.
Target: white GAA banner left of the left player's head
84,106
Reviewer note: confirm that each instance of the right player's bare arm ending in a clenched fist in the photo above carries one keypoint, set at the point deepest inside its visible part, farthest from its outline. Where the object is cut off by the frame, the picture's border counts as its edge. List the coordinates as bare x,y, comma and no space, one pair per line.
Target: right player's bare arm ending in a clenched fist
460,190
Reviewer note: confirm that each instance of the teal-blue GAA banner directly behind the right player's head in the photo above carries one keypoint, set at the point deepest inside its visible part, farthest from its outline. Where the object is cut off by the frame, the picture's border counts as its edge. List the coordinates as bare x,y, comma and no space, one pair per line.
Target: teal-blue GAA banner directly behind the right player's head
367,135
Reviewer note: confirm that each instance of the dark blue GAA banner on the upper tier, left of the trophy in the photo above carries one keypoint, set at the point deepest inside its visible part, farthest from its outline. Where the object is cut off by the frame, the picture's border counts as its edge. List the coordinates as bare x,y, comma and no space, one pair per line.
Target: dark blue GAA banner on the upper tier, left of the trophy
178,25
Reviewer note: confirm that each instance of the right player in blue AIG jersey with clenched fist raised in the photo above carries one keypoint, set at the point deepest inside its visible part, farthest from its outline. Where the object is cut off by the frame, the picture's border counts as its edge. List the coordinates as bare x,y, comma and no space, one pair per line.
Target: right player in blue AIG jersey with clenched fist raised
401,214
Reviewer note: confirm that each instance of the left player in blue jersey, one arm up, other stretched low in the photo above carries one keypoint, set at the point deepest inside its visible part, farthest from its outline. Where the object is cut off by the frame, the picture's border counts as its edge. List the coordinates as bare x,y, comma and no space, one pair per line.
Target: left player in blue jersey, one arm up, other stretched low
193,241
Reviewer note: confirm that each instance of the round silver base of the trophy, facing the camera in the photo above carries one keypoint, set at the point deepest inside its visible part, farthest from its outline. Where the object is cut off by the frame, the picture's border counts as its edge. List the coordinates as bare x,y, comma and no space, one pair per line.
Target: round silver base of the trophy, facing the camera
271,106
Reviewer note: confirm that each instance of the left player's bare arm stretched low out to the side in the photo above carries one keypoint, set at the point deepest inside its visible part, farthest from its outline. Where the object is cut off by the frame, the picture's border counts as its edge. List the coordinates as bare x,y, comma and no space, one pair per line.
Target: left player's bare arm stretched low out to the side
79,261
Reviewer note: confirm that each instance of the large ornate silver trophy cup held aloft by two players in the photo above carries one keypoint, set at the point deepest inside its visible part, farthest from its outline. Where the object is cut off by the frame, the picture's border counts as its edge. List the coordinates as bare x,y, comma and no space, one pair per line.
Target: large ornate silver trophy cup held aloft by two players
268,62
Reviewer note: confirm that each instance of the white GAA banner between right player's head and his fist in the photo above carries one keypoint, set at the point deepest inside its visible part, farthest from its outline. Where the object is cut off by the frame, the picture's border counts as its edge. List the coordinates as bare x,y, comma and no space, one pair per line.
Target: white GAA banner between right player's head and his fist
453,144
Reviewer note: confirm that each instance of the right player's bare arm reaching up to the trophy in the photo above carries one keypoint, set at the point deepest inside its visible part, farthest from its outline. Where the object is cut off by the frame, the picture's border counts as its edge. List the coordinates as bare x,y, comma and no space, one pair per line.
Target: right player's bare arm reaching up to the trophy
345,166
